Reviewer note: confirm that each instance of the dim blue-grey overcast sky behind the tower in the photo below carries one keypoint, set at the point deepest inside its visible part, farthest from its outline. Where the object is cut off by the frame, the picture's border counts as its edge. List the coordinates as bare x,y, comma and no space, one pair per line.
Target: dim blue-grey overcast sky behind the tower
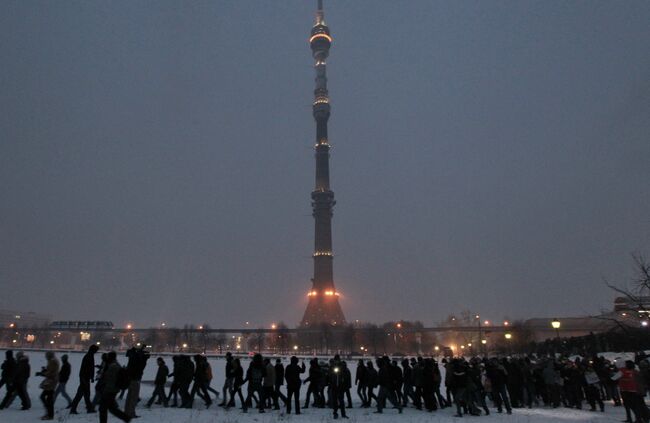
156,157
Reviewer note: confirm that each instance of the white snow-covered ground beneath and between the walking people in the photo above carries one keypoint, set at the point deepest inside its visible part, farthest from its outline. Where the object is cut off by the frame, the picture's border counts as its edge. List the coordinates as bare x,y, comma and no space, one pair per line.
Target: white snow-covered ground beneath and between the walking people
215,414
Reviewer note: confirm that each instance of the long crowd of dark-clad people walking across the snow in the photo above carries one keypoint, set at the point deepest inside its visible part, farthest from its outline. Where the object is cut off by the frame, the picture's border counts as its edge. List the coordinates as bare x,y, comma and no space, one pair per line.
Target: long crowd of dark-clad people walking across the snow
472,386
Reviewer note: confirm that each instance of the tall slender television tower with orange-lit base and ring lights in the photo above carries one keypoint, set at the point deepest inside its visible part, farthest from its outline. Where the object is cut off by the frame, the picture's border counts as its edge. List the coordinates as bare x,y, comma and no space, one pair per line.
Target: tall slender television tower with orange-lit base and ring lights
323,304
